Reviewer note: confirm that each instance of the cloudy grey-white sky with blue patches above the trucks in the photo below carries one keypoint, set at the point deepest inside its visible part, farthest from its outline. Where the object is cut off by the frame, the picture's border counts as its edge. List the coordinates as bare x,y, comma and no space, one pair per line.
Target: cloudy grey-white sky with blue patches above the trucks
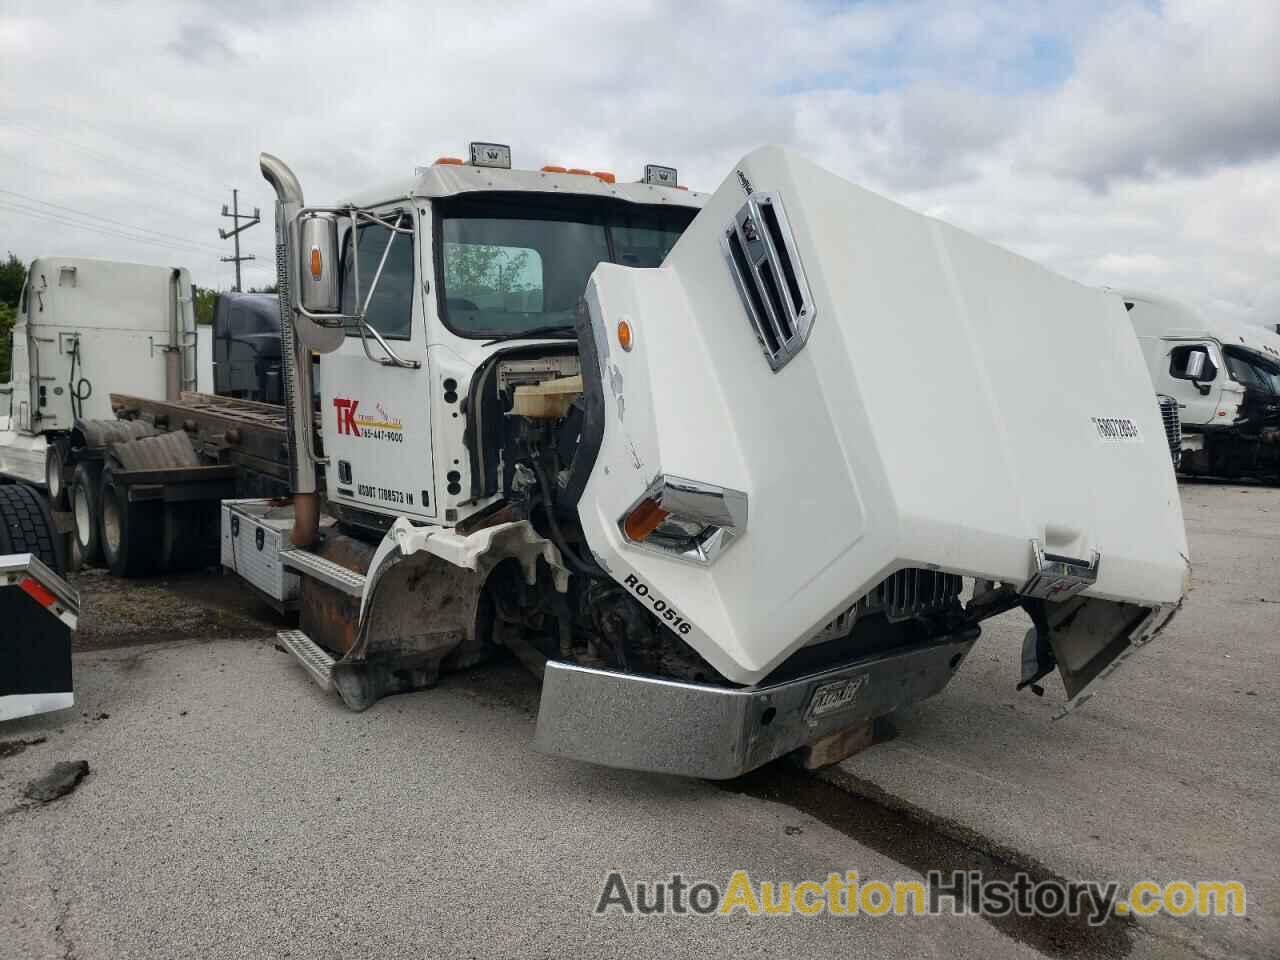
1126,144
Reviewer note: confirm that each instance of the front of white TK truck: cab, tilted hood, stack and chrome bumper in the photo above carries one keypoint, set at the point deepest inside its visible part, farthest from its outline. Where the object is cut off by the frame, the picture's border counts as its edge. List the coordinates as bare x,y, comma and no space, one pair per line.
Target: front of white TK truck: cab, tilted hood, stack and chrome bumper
694,459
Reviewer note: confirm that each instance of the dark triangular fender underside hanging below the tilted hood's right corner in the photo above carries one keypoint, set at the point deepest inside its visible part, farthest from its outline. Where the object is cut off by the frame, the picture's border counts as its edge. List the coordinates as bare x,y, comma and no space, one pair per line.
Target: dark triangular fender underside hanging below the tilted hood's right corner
1091,638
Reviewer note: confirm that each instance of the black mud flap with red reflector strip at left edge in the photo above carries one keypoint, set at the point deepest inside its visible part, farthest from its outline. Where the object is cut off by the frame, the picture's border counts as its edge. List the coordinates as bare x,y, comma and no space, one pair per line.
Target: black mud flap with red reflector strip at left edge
39,612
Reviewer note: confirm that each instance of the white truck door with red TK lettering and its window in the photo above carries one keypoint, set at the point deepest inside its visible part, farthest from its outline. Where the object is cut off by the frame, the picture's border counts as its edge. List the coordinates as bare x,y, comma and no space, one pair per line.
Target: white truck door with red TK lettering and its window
376,409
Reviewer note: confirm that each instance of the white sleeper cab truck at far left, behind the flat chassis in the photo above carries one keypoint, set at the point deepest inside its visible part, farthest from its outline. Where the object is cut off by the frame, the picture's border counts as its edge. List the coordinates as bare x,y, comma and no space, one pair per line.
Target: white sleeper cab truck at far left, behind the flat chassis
86,330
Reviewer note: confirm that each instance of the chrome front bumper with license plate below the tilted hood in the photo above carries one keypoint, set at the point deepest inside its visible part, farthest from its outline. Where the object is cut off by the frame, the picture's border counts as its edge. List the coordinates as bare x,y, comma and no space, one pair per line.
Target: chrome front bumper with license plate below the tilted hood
696,730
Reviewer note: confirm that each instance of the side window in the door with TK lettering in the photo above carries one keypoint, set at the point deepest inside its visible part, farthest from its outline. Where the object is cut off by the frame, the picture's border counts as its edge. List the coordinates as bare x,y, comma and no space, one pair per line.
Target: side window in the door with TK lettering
391,310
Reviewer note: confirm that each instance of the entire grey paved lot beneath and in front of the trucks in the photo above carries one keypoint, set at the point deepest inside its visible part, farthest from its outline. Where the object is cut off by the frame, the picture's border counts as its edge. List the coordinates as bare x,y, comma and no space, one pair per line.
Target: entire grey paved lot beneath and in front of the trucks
232,810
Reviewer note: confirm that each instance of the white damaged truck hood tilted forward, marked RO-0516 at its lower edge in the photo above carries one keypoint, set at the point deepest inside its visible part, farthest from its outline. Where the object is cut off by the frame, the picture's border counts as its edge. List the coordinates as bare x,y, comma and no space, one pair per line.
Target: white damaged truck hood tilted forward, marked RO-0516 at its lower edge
953,405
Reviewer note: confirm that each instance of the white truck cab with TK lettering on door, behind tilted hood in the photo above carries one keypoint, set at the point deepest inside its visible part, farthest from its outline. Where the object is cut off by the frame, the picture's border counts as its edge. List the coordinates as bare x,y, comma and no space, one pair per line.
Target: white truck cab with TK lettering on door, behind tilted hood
469,262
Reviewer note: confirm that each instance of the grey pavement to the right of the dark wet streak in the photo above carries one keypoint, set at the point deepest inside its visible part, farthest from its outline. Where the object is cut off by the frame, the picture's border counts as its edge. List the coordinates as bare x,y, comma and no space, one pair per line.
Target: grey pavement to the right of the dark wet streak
1172,772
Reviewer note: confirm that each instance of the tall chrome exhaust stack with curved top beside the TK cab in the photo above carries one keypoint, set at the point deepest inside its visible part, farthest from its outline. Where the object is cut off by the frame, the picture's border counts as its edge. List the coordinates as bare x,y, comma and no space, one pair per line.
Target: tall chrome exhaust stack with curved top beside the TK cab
295,355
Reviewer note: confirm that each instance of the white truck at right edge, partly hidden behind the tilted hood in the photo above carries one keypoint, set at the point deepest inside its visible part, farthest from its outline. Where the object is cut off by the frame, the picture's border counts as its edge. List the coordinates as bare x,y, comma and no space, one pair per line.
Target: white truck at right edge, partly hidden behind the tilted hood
1226,378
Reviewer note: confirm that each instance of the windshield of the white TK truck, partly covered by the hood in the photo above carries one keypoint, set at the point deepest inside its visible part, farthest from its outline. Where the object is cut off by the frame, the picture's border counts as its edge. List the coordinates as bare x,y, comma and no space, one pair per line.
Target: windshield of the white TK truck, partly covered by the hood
516,262
